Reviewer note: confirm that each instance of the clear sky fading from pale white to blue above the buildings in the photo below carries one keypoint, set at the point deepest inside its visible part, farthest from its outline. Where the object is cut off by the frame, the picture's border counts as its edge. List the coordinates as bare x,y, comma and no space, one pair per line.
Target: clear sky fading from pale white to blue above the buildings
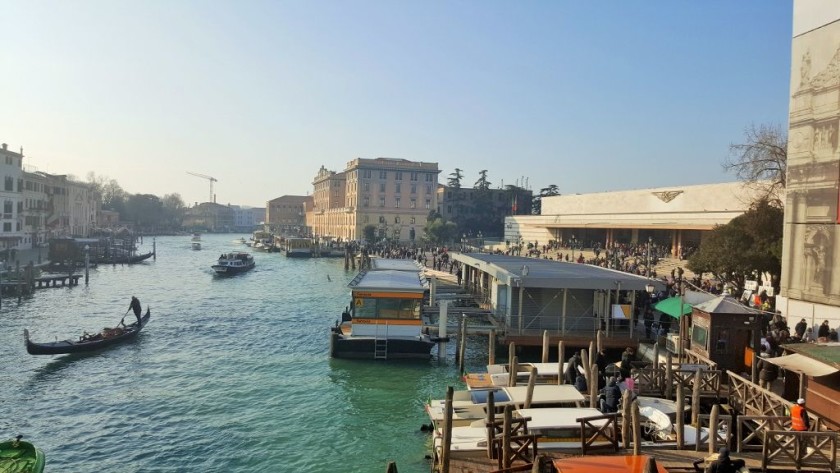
590,96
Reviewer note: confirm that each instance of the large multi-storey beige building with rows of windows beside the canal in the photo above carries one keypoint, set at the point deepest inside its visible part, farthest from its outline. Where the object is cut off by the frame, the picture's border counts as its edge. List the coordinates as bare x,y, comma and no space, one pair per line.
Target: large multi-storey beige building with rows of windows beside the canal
393,195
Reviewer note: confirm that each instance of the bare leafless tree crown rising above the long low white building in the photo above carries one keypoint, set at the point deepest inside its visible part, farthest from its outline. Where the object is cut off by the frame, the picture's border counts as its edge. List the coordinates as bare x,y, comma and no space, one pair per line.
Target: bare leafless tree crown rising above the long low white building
762,160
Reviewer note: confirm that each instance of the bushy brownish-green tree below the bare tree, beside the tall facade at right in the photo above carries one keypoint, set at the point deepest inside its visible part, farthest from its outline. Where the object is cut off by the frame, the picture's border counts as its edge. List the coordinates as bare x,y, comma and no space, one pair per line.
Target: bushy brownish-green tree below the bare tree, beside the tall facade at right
750,243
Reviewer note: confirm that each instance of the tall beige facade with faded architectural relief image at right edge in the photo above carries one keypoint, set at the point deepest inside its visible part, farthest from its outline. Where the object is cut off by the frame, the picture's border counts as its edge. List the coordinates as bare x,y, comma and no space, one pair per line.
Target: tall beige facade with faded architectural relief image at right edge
810,284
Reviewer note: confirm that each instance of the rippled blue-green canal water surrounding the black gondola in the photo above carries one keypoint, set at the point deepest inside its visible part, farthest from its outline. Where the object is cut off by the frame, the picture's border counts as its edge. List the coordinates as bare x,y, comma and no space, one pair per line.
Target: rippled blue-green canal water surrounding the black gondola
230,374
